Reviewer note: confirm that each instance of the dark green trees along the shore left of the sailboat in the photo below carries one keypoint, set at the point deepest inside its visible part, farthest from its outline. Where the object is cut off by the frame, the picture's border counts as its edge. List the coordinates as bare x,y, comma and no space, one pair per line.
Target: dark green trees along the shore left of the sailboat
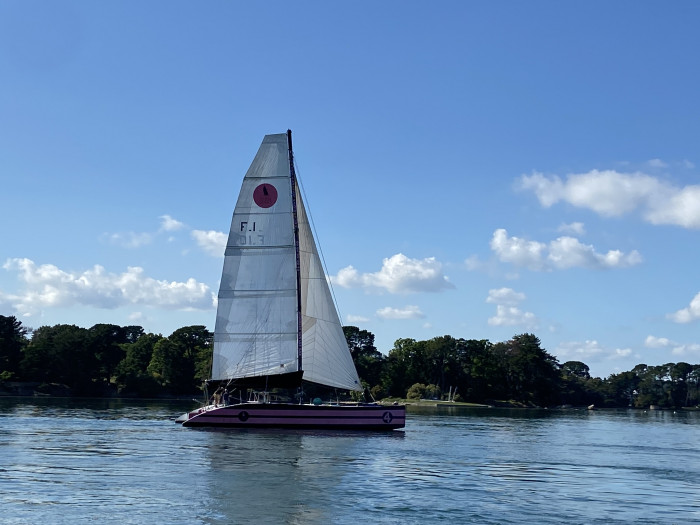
105,359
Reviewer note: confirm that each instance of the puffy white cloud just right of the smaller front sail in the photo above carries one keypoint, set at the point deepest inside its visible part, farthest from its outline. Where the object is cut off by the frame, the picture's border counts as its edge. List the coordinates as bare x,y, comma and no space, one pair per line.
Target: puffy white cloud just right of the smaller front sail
399,274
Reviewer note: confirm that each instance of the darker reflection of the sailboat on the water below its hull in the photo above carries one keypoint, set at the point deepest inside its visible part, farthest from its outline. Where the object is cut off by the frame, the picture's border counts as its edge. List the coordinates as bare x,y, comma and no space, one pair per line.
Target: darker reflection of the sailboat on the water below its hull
287,476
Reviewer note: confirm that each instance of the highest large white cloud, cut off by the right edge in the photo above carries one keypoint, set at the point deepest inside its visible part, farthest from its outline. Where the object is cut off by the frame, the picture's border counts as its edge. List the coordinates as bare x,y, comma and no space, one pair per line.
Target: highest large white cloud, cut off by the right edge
611,193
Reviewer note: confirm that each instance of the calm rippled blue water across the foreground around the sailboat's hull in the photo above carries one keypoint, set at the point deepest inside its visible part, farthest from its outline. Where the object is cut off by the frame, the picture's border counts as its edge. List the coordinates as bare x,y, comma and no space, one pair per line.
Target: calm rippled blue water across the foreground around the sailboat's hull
116,462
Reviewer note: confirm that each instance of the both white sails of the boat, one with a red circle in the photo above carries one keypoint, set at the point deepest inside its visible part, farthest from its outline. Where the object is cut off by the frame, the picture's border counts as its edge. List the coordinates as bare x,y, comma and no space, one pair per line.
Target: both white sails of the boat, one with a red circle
257,330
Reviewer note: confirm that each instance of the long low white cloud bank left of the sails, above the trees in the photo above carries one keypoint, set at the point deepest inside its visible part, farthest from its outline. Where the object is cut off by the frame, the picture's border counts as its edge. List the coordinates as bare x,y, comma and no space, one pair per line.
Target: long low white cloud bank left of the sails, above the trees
47,286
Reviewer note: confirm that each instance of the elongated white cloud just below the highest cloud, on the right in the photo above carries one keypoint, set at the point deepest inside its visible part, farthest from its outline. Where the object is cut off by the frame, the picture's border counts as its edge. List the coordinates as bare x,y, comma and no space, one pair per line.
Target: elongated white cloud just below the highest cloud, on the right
560,254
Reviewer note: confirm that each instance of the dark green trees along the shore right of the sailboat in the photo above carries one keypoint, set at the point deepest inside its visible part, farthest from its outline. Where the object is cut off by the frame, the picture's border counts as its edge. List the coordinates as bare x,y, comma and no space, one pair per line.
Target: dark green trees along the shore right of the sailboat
519,371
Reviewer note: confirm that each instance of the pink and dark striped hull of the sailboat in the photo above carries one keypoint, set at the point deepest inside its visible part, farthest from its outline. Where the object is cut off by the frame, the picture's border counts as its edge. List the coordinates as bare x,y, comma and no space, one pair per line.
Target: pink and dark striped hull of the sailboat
254,415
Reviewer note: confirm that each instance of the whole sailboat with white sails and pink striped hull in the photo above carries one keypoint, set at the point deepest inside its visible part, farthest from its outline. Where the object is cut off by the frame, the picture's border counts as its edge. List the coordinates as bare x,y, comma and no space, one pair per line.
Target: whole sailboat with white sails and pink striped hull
276,323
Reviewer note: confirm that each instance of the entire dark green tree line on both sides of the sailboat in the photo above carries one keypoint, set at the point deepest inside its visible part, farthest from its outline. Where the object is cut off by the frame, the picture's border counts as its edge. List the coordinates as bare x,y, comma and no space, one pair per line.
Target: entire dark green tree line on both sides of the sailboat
108,359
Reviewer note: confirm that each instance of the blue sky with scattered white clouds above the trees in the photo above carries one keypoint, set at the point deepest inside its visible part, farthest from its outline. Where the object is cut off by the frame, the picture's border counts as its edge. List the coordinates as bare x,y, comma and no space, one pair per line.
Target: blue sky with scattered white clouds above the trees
474,168
